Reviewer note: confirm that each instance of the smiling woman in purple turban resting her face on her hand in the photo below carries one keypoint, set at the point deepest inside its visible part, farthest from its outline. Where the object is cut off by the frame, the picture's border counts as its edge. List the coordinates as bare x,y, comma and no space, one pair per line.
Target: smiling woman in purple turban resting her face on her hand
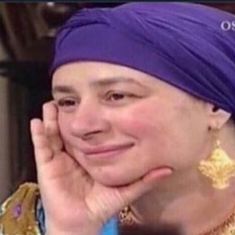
140,122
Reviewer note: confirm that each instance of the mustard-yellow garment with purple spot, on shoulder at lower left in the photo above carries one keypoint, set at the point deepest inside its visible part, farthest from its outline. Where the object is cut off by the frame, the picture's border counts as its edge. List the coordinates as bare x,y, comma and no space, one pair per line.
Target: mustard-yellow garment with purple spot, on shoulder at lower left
18,215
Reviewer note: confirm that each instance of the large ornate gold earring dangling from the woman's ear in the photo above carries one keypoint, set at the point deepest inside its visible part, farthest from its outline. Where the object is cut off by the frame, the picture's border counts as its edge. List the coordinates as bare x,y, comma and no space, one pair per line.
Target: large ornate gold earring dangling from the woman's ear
219,167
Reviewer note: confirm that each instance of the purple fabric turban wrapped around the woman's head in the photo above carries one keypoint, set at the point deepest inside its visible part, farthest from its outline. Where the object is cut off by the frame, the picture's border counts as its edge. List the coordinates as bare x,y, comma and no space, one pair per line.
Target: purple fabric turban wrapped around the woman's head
189,46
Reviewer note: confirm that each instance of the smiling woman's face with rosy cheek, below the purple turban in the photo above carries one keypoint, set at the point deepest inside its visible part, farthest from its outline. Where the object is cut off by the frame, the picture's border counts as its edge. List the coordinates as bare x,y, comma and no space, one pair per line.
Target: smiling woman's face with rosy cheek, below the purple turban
120,123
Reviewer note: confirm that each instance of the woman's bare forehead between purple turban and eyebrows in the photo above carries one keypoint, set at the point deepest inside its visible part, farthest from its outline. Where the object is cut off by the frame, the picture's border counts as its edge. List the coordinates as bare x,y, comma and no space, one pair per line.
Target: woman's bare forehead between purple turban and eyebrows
86,72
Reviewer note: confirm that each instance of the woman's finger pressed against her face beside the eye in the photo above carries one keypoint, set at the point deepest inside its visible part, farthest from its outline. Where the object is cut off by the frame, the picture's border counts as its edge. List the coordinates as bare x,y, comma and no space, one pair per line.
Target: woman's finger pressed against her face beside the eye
50,121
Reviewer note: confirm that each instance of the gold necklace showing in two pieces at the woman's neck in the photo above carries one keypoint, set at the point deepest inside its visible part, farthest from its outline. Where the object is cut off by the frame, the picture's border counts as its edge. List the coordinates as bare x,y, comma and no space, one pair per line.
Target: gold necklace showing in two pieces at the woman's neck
227,227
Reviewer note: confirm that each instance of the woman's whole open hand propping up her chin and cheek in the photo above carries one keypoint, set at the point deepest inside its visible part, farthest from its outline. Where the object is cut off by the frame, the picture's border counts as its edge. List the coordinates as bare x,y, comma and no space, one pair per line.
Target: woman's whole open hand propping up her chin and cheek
74,203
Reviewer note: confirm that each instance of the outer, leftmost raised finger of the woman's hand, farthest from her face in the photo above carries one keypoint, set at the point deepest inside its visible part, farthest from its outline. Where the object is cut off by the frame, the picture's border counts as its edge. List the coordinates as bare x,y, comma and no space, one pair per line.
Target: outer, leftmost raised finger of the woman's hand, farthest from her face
43,152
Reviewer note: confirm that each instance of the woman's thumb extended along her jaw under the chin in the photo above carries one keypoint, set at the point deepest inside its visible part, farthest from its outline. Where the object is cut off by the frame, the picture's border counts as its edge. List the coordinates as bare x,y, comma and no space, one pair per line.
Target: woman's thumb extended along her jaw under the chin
145,184
